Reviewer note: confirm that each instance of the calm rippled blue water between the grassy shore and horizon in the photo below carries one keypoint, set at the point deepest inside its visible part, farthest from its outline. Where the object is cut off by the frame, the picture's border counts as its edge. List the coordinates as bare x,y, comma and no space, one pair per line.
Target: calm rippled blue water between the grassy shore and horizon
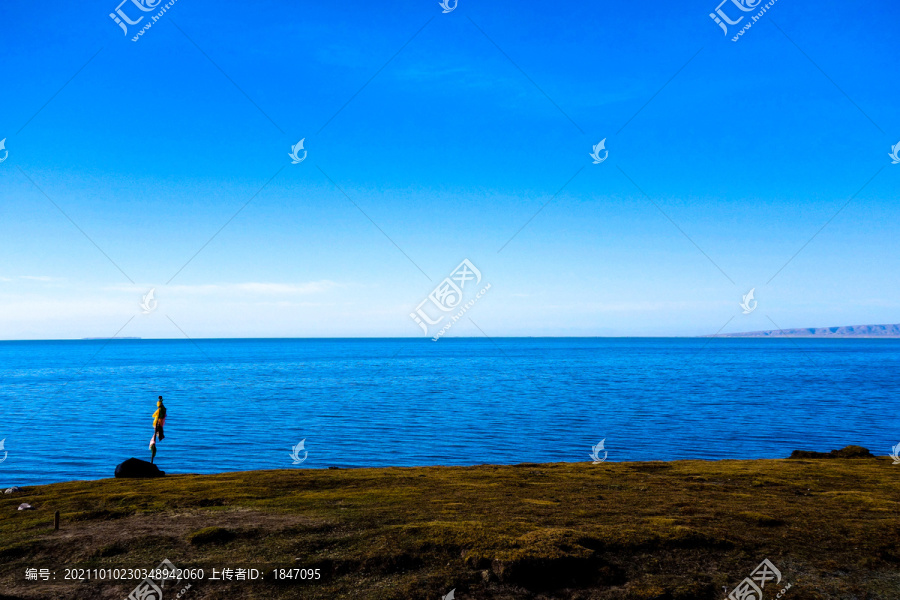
74,409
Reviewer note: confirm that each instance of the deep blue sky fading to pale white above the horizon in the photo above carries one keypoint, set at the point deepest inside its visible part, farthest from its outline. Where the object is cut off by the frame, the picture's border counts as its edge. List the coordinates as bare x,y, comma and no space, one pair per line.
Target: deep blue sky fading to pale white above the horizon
447,133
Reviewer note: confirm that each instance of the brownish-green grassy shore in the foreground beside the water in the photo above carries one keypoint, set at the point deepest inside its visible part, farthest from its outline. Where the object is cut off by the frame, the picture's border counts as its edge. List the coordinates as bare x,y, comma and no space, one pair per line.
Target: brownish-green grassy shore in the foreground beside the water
685,530
